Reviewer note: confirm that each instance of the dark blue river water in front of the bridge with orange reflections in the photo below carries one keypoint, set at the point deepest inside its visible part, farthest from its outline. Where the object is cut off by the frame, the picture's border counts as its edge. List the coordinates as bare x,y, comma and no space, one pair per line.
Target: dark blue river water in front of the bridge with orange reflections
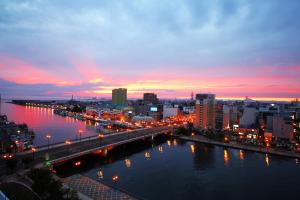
187,170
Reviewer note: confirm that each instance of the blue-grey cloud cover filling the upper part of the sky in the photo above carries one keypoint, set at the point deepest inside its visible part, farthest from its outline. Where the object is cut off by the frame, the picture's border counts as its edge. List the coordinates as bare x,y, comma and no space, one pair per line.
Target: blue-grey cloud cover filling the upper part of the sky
49,33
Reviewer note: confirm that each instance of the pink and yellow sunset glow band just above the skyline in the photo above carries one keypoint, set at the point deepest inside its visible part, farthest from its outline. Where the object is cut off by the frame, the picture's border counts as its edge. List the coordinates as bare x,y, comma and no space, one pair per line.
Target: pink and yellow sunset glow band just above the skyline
179,82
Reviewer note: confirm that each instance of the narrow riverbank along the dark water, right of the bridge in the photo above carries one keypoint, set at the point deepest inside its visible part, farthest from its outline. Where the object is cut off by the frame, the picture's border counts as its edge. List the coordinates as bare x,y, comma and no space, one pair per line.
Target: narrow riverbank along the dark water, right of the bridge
201,139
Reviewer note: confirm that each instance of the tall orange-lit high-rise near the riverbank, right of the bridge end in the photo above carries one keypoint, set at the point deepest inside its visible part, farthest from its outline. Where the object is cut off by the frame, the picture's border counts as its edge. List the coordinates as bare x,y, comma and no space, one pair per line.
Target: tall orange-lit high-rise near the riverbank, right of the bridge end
205,111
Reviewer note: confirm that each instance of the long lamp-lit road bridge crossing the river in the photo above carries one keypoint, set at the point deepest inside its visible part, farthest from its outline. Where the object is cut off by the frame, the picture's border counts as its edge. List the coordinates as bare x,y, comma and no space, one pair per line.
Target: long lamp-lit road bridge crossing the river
62,152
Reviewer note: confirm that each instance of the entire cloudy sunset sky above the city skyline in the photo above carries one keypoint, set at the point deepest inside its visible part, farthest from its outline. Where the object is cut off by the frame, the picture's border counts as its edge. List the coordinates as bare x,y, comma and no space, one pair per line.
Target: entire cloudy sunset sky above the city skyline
233,48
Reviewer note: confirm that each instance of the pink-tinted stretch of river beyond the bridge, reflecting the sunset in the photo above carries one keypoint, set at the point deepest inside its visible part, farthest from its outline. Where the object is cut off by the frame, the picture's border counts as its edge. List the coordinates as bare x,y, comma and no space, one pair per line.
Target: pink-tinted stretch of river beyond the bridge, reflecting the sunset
43,121
